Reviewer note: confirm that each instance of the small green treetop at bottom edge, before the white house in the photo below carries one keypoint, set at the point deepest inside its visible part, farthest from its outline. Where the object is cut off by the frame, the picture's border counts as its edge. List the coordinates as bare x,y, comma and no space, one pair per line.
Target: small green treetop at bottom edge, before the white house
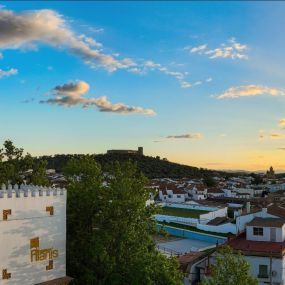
230,269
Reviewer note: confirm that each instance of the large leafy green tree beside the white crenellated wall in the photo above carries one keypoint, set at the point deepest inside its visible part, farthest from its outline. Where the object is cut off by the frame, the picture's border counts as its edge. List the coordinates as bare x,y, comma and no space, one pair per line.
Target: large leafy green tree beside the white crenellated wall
109,227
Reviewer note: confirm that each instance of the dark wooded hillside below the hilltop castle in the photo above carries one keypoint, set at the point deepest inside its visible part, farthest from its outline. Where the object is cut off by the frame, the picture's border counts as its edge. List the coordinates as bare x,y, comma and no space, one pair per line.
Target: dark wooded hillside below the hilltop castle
152,167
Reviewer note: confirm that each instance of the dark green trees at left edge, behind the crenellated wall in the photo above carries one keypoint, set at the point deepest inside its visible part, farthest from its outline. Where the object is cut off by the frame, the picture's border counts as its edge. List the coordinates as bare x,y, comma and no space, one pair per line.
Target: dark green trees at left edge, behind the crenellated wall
13,164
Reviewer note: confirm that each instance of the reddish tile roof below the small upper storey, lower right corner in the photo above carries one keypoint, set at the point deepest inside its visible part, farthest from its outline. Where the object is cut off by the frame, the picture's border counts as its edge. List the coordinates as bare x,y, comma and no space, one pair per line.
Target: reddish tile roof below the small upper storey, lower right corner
259,248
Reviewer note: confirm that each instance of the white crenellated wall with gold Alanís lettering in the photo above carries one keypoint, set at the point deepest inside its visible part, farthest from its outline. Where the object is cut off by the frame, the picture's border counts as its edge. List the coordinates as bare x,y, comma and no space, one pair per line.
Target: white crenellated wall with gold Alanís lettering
32,235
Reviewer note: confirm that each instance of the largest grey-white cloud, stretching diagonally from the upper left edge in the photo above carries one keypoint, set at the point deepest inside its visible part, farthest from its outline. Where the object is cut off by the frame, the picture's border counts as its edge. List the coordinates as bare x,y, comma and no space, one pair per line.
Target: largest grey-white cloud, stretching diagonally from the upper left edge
28,29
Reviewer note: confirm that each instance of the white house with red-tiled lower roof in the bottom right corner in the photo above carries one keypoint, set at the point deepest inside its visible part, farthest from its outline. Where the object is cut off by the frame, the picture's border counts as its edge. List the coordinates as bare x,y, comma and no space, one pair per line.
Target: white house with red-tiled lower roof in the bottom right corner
263,246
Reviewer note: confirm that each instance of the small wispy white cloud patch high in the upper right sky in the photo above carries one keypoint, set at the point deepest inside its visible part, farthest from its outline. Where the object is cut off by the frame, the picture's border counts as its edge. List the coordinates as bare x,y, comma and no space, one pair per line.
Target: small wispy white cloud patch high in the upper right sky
232,50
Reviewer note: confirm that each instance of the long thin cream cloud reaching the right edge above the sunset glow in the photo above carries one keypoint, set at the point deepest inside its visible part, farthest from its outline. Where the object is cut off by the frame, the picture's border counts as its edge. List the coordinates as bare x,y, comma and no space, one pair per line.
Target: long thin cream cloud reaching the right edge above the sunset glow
250,90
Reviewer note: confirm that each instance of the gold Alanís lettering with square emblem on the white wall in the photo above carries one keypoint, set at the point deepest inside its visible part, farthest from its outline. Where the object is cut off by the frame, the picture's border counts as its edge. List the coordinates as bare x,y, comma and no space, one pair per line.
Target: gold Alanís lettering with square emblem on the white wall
38,254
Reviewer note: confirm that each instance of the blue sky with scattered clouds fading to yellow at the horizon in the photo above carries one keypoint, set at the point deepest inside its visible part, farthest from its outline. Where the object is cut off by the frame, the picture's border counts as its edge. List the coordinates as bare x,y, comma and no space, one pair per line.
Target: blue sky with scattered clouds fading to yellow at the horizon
200,83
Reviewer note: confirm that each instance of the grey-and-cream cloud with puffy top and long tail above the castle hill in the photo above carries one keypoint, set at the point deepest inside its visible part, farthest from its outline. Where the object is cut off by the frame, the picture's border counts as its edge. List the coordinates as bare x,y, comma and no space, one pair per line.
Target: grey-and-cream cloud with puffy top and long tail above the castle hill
71,94
